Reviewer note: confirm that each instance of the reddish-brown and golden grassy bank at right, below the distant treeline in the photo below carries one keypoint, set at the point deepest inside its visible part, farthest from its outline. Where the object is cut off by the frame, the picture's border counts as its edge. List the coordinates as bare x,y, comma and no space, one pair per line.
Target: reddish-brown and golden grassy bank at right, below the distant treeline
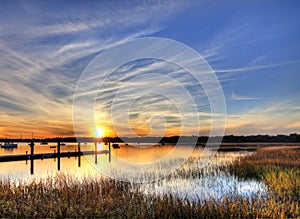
278,167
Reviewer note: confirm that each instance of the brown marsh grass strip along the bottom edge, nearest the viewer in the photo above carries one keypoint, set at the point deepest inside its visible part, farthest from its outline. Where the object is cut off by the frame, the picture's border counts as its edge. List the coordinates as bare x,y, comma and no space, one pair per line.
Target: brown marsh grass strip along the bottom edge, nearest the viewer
65,197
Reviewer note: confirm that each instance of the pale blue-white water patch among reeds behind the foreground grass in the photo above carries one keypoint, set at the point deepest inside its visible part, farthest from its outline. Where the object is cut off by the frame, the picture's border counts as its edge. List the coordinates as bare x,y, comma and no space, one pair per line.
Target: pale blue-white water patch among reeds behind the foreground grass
207,187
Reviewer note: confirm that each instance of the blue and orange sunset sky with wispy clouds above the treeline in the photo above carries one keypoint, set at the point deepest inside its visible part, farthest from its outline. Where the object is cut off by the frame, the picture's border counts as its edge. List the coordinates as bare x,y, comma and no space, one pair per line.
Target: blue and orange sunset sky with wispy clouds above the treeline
252,46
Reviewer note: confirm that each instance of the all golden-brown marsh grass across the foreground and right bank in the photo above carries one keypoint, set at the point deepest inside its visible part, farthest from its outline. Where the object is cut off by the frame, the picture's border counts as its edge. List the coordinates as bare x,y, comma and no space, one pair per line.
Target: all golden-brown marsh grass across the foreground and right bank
68,196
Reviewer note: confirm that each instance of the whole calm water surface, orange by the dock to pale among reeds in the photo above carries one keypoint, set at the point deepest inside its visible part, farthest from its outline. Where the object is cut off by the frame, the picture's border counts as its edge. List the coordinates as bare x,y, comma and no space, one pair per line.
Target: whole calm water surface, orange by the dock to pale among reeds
140,162
